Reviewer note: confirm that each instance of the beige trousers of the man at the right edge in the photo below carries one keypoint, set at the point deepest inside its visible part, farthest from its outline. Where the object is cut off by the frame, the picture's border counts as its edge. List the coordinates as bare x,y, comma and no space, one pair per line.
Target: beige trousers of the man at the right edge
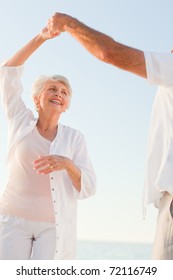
163,243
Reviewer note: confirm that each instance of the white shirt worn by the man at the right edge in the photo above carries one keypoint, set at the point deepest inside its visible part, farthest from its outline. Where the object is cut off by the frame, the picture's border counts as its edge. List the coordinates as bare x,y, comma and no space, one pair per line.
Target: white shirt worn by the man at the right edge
159,164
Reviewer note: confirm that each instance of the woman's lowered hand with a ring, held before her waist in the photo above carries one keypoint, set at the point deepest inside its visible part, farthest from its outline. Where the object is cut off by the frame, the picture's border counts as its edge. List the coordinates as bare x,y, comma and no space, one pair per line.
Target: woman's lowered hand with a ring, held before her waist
48,164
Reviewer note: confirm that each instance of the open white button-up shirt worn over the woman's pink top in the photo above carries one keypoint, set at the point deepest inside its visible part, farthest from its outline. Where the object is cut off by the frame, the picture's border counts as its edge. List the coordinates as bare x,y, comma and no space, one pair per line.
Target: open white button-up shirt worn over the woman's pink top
68,142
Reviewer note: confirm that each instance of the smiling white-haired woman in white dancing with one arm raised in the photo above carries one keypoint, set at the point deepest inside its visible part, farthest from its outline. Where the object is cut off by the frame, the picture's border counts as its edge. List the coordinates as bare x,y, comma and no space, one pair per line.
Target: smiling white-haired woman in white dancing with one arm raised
49,168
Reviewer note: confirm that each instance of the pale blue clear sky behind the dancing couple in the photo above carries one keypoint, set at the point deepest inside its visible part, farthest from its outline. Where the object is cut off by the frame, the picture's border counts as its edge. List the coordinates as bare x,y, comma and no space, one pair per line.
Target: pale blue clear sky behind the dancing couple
110,107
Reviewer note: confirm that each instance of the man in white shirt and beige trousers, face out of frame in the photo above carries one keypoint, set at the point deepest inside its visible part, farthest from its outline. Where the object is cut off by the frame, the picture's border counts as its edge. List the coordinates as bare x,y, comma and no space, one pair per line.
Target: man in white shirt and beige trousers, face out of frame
157,68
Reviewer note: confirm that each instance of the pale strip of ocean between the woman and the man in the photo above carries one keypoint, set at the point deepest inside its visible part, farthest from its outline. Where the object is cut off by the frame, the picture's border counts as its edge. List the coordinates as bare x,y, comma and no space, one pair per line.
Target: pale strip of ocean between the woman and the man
97,250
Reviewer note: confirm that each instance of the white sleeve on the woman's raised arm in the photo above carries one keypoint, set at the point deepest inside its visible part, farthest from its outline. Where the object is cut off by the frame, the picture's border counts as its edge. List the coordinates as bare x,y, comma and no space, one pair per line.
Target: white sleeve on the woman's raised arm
11,89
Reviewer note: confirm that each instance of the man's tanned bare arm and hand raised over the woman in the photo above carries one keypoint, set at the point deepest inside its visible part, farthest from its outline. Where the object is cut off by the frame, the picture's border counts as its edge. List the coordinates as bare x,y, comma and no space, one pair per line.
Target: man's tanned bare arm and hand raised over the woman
102,46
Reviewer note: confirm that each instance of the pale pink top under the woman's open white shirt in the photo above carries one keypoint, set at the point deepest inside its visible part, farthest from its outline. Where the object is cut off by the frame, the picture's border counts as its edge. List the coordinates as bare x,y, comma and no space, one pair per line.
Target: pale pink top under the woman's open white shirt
27,194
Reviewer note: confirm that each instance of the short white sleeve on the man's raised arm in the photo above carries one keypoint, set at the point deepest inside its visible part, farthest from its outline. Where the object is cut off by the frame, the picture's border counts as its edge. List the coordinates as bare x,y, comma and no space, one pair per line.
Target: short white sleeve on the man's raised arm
159,68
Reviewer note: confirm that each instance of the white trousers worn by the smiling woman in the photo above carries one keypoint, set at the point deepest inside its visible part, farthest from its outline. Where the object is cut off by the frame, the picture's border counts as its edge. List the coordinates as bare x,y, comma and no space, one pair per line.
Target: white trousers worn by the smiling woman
21,239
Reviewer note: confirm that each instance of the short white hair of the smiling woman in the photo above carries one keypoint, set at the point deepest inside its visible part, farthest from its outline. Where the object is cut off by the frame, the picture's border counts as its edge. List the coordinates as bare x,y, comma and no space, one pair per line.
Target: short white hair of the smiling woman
41,81
